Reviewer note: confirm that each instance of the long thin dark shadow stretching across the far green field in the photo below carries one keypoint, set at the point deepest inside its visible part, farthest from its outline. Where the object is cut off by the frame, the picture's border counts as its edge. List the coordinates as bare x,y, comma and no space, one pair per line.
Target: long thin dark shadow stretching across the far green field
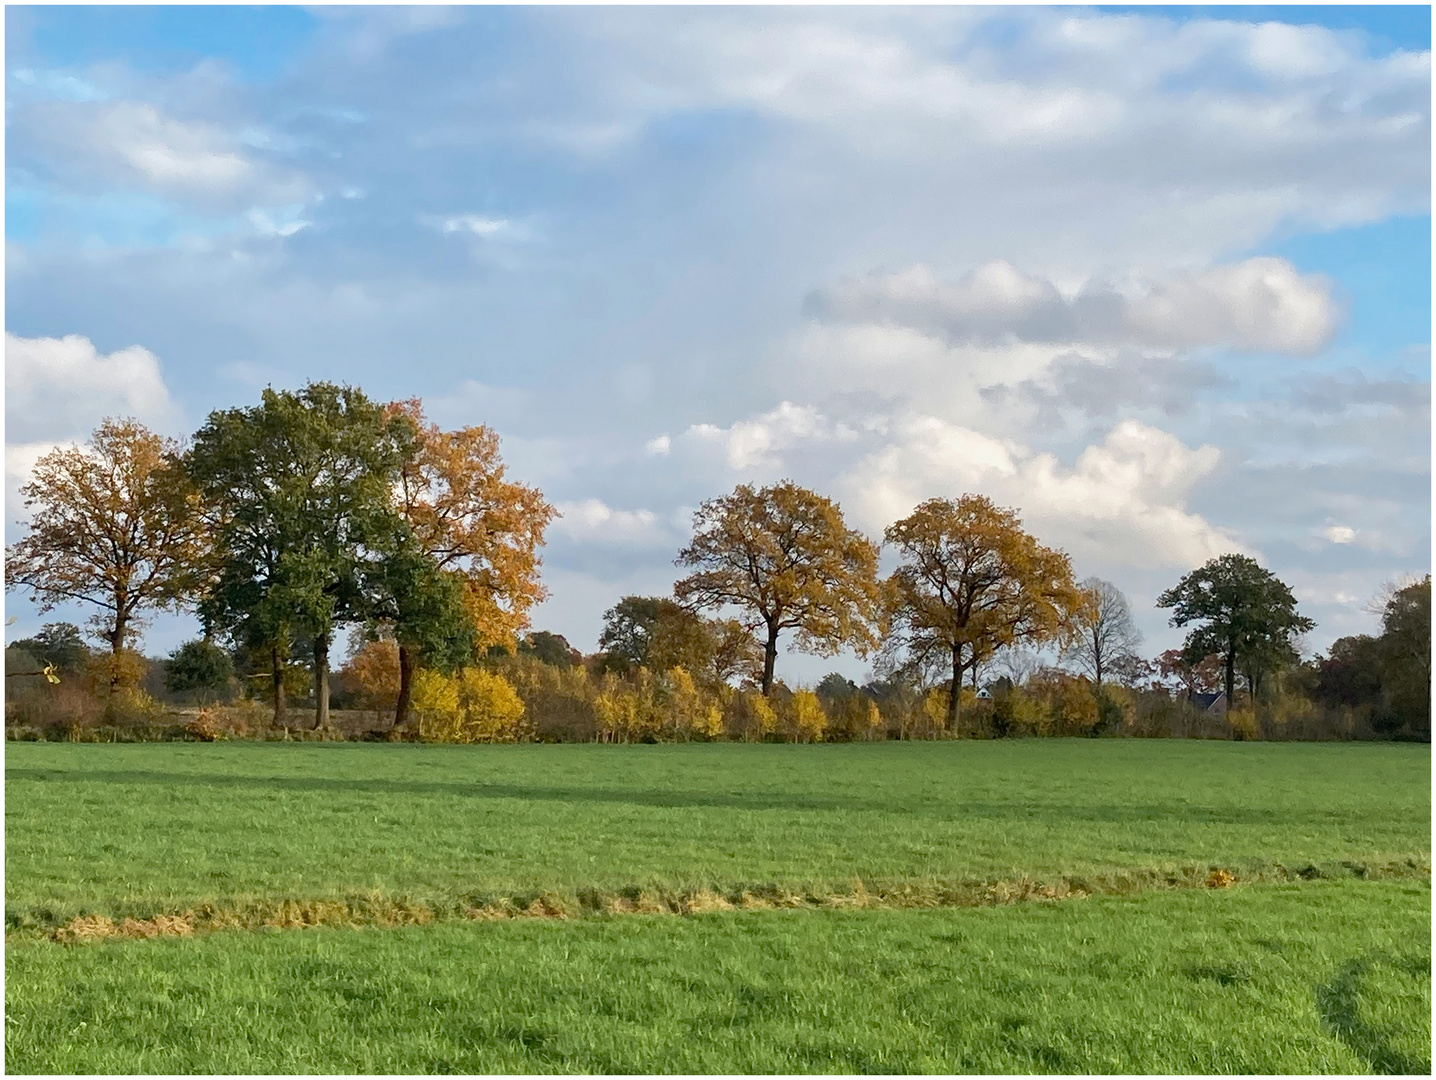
1184,815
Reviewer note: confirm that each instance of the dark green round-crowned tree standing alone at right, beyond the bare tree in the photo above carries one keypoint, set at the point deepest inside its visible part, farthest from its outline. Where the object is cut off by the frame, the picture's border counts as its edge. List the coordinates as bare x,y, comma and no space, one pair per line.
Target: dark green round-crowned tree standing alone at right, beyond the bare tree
1241,613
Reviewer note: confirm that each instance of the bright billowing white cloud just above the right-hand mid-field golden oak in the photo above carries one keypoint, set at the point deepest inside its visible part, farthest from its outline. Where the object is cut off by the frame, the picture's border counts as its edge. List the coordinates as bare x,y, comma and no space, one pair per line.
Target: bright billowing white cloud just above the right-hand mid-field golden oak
1124,502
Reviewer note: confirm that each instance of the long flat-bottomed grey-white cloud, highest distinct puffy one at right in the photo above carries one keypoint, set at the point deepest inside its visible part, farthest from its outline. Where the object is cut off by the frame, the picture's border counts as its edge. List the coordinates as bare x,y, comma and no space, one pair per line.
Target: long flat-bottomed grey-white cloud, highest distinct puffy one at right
1262,304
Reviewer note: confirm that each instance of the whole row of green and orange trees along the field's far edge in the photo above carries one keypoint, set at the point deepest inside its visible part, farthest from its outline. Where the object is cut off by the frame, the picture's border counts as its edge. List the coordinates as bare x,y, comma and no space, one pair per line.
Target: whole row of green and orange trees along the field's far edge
318,511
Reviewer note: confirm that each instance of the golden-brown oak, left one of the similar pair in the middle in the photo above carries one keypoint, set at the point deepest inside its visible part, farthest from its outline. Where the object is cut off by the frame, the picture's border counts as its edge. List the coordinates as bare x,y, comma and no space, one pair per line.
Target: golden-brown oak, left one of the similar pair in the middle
785,558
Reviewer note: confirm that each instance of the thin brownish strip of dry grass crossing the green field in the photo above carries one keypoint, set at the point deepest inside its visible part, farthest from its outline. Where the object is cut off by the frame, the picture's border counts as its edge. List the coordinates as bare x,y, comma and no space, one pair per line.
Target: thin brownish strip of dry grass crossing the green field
388,913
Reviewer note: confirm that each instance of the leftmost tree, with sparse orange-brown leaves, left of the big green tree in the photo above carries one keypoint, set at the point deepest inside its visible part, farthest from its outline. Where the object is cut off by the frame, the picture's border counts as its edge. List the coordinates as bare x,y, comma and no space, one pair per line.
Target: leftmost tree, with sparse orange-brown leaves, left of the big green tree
114,525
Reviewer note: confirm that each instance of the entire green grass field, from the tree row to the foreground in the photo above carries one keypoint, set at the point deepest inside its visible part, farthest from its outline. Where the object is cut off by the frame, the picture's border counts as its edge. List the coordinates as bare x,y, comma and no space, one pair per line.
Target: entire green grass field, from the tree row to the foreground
1330,974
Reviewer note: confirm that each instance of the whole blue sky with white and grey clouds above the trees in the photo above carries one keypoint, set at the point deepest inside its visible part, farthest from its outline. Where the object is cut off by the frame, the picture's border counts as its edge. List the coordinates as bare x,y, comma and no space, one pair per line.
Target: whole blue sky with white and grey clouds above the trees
1158,278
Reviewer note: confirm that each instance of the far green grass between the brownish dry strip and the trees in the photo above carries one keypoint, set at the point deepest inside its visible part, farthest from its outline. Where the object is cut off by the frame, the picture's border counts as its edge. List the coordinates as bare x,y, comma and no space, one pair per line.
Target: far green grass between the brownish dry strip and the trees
139,829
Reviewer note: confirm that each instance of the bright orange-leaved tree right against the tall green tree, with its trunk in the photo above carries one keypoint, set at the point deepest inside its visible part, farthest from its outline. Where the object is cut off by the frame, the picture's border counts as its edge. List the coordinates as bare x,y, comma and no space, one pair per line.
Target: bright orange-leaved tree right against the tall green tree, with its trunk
475,523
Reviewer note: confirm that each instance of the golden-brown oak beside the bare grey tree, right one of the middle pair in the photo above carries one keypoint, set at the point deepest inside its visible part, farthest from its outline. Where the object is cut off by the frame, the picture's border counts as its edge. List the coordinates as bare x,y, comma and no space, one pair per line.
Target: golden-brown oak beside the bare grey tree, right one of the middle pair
973,582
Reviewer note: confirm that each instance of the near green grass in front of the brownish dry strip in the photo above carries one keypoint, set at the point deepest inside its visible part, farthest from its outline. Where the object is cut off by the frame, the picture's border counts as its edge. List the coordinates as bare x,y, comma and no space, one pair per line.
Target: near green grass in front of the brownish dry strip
1322,977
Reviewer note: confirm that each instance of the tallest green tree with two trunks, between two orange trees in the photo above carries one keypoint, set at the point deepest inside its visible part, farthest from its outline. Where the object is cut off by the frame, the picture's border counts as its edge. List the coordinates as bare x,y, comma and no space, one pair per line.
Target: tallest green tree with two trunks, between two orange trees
295,492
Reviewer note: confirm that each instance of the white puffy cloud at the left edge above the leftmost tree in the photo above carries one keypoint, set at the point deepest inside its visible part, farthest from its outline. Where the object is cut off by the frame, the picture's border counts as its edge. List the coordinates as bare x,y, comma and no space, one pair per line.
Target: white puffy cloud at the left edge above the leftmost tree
60,388
